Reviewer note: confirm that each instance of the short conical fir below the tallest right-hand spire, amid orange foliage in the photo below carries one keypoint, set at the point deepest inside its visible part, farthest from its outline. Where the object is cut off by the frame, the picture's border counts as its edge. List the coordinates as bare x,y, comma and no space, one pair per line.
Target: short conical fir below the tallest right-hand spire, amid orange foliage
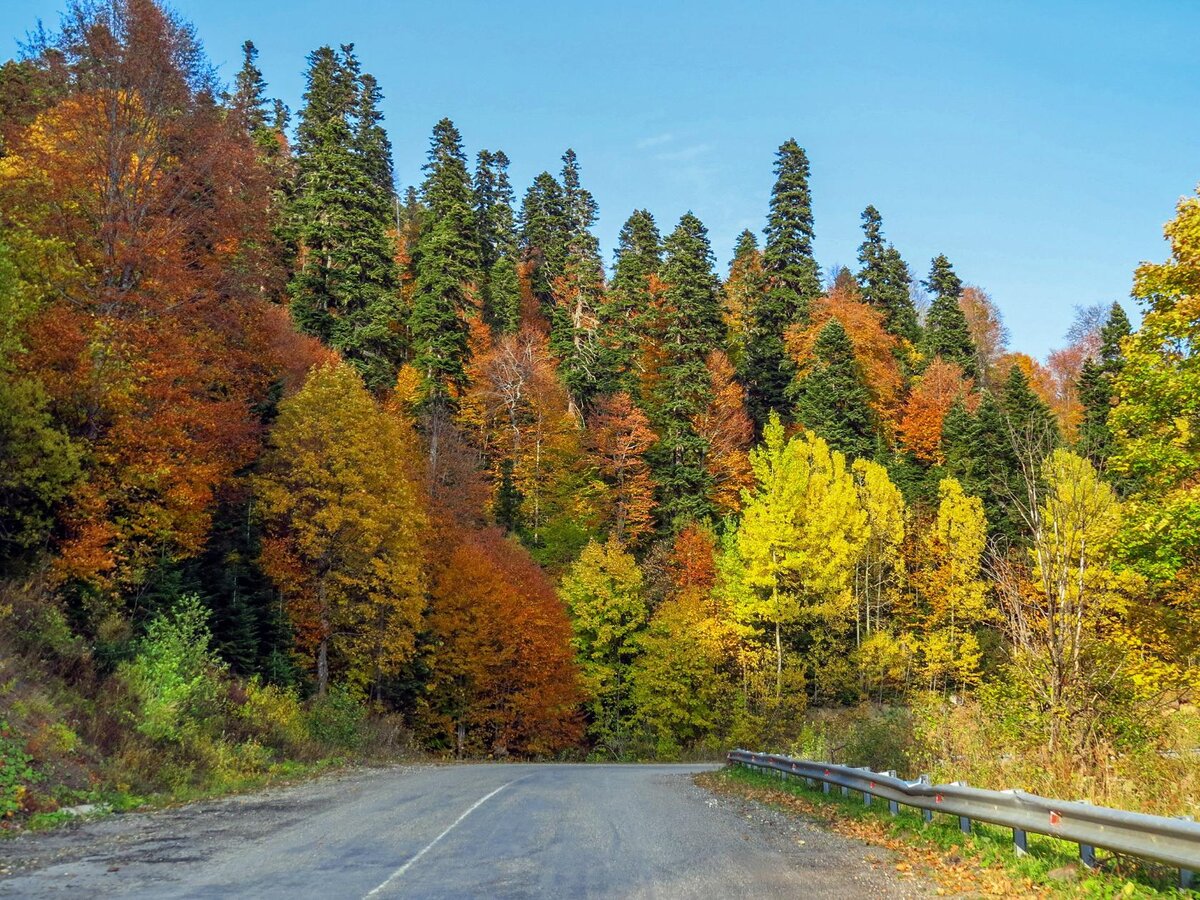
832,399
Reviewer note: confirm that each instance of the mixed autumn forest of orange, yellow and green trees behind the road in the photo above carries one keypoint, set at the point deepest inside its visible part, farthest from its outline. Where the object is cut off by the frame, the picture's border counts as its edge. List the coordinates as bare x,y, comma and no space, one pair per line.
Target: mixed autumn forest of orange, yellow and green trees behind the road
299,463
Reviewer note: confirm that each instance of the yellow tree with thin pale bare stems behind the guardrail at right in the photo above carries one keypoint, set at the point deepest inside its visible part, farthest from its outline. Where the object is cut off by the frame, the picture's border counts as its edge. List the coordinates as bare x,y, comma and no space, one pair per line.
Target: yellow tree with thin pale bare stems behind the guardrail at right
1077,655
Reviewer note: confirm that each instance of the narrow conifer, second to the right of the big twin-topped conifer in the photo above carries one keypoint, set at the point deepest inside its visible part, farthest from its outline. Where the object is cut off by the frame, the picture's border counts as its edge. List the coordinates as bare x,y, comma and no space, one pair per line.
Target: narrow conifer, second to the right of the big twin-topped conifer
501,290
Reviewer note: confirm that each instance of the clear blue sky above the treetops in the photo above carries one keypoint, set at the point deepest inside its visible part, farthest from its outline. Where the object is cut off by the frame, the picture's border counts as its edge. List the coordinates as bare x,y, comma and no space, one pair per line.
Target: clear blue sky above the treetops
1040,146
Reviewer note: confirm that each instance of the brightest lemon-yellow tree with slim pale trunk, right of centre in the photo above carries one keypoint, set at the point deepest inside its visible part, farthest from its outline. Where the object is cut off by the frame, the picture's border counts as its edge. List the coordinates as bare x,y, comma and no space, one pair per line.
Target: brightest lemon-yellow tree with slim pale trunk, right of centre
802,531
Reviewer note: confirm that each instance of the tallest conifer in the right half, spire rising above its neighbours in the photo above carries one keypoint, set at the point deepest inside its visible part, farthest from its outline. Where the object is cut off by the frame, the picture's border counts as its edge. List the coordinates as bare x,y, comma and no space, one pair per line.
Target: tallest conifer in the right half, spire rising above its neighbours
793,284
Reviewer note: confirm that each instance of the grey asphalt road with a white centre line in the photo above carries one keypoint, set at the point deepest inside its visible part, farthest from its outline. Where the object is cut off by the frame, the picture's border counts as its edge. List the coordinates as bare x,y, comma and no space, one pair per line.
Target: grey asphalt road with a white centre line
489,831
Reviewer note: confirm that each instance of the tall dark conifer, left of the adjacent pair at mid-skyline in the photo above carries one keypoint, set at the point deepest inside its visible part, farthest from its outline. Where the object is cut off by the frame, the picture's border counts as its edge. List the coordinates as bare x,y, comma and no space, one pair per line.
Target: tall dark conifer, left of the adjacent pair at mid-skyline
622,316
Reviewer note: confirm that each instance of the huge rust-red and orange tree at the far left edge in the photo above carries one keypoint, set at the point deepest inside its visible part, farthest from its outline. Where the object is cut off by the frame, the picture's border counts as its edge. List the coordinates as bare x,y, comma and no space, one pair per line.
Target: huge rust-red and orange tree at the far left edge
158,350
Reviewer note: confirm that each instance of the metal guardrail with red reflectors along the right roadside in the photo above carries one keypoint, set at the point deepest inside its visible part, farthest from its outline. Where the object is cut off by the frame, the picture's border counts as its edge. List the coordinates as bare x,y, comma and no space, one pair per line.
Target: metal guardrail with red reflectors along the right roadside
1174,842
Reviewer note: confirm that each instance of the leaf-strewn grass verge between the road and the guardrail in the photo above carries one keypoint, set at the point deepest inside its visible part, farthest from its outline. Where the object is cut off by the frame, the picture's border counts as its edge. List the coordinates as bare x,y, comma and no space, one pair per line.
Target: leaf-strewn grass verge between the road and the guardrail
982,862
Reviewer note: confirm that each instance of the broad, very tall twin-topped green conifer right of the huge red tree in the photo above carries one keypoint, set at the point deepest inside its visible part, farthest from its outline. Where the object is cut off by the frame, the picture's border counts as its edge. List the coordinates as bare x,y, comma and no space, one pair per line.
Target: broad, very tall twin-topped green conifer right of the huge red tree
346,290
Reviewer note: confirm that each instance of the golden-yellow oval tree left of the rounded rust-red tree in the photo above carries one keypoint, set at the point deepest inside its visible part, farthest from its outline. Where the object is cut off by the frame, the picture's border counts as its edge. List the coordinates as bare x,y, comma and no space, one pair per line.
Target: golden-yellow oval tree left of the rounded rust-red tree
344,527
